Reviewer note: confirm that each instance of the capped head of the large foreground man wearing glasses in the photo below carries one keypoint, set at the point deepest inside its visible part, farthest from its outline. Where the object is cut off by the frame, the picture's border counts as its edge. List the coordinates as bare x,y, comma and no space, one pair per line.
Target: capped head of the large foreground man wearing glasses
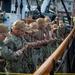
19,27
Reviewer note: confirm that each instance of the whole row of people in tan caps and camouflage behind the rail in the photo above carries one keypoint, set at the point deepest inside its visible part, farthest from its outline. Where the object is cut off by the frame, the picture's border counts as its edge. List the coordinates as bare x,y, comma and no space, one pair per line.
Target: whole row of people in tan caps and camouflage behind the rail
26,46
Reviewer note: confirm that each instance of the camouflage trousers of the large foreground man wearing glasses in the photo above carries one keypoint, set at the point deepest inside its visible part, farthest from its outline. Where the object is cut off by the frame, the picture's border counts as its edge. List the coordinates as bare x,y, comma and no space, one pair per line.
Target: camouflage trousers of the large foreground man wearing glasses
18,66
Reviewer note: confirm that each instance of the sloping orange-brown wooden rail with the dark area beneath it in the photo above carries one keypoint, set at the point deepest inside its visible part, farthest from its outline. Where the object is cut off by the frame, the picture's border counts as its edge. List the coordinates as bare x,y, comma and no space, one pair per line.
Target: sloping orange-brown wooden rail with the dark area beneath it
66,54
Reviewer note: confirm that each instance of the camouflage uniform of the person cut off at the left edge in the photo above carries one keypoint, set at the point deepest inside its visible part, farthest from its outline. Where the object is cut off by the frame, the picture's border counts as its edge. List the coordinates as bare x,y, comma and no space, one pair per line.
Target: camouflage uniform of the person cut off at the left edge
6,54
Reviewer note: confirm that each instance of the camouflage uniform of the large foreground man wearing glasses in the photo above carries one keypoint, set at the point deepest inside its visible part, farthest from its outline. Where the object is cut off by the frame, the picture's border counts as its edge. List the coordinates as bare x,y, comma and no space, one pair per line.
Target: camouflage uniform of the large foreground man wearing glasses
20,65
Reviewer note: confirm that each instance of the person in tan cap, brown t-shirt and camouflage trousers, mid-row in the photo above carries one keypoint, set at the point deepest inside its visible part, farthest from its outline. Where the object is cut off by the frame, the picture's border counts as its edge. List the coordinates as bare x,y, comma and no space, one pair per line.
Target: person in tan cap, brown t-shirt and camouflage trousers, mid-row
41,35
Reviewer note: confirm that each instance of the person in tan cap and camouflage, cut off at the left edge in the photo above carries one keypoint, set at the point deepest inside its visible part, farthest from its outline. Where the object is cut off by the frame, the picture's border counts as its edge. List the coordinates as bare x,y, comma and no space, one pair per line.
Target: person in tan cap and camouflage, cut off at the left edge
5,53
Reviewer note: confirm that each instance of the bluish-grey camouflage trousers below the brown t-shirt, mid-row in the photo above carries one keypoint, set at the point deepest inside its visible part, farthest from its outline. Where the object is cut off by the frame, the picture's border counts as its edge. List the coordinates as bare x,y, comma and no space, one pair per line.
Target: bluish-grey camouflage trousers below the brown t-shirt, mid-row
37,57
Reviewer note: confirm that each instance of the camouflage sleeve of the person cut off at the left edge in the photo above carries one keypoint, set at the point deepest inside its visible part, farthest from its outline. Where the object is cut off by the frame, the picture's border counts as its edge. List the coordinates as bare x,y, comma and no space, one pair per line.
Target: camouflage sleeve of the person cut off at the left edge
8,54
